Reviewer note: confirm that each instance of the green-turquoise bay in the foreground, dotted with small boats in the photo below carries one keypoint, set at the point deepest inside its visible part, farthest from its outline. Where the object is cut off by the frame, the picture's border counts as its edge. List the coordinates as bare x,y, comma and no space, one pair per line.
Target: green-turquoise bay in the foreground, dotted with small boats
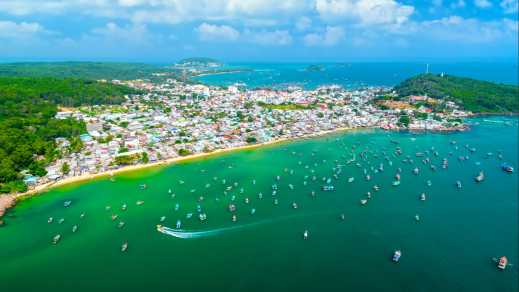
451,248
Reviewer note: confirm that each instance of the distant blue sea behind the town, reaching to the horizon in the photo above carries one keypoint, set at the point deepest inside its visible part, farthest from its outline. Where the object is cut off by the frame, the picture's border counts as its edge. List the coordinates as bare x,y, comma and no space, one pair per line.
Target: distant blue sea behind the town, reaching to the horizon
355,75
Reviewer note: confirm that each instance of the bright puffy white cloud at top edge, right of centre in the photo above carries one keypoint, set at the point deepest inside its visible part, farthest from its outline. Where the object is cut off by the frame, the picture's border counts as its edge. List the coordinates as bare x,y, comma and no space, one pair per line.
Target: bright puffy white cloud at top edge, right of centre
367,12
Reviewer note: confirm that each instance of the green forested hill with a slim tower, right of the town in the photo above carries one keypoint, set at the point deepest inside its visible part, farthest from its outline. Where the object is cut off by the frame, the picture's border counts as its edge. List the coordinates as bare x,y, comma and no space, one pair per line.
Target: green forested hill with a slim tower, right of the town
473,95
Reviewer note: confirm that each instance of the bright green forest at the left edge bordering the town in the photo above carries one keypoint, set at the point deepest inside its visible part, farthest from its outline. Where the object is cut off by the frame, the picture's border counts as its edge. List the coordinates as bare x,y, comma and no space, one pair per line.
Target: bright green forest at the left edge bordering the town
28,127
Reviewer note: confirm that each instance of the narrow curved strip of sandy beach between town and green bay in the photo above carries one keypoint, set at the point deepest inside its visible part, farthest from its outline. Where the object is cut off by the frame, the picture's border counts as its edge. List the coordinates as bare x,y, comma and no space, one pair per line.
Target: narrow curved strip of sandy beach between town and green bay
8,201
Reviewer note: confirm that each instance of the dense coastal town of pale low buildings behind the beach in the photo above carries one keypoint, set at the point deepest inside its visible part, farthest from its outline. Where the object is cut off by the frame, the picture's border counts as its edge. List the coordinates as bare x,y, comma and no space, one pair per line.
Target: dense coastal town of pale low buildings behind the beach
174,119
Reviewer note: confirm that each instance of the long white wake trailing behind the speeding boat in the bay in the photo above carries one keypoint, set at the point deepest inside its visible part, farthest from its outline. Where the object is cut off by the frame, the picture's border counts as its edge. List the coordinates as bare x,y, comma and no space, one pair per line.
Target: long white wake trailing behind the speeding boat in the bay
179,233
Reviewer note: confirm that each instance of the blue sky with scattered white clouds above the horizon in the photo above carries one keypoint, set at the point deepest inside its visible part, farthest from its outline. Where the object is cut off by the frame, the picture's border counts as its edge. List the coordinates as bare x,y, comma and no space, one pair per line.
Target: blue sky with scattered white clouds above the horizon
258,30
